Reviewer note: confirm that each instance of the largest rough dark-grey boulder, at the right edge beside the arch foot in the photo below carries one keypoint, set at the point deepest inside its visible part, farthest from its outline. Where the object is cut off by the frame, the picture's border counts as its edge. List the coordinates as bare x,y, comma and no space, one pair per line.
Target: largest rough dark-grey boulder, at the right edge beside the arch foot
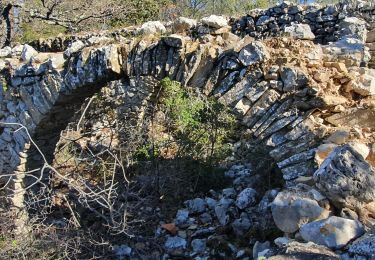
346,178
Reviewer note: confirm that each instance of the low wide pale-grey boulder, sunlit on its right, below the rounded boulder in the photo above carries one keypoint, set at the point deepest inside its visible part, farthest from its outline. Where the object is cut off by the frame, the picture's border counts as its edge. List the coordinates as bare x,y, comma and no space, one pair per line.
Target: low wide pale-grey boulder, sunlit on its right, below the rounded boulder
334,232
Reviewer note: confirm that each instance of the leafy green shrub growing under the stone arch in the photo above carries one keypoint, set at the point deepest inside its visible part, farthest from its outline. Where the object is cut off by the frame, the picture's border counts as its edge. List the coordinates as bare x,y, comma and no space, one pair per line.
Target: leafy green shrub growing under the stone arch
201,127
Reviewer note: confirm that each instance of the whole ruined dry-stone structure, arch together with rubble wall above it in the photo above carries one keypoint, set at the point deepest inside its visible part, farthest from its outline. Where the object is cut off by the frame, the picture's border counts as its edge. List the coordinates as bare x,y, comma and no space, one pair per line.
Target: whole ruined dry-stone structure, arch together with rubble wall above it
299,98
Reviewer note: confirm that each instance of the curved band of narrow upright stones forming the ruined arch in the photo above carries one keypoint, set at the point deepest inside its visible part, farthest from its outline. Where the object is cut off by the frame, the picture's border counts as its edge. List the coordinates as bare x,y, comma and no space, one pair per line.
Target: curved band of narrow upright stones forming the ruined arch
274,105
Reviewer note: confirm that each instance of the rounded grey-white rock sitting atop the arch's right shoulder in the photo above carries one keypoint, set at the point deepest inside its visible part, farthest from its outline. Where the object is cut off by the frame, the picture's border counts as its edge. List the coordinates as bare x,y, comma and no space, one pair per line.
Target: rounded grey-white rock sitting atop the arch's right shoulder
253,53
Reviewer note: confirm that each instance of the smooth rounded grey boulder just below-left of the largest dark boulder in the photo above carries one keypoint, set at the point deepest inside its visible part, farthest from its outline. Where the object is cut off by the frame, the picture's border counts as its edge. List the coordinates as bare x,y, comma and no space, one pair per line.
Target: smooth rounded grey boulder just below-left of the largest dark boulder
292,208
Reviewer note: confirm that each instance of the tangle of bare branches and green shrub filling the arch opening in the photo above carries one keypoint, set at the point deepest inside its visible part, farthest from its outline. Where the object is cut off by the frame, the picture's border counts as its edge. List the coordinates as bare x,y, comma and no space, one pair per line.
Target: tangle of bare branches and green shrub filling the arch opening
109,194
